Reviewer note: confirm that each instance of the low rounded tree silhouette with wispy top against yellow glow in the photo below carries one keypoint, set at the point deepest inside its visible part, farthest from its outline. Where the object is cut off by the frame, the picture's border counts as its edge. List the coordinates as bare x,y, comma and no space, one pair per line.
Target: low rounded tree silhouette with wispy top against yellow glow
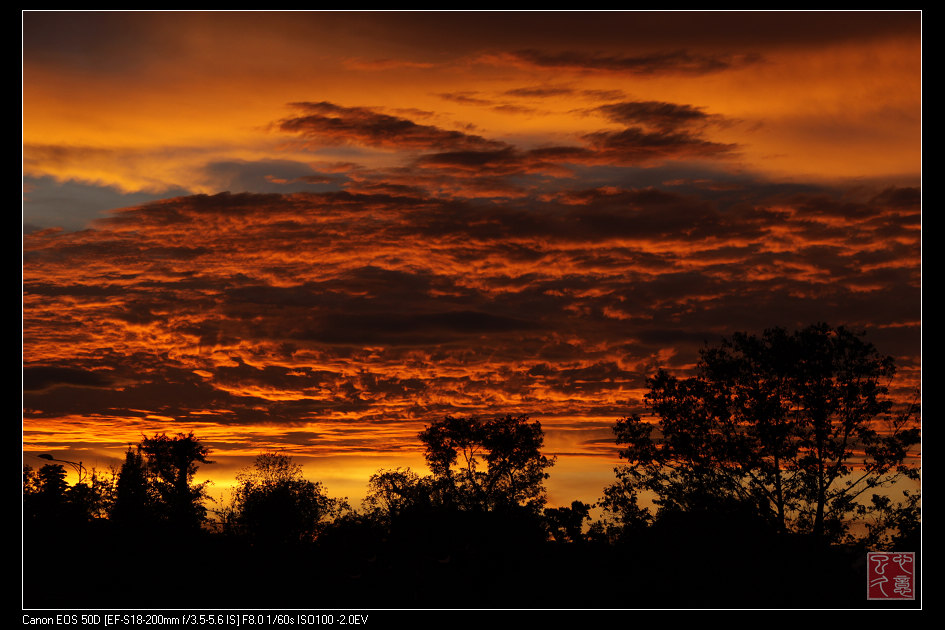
274,503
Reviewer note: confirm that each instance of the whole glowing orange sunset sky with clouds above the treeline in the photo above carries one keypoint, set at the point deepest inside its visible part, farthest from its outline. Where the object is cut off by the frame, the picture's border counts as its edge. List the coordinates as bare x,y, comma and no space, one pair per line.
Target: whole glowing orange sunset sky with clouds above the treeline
316,232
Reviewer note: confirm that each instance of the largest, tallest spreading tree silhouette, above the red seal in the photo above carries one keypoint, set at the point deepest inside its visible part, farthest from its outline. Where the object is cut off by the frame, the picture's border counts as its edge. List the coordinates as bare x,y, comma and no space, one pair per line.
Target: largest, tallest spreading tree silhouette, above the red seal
782,425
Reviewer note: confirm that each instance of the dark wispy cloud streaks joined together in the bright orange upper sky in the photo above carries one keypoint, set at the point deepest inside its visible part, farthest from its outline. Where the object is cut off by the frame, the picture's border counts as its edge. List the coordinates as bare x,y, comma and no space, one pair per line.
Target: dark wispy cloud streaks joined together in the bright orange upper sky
459,165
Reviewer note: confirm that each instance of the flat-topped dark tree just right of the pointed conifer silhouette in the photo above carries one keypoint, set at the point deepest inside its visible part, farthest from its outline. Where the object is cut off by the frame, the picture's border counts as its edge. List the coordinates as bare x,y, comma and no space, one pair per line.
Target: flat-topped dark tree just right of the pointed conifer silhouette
172,463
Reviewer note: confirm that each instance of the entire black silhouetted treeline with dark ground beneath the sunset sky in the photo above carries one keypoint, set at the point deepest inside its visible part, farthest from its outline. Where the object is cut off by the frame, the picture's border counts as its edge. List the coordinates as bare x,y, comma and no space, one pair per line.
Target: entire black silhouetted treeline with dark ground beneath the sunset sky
761,484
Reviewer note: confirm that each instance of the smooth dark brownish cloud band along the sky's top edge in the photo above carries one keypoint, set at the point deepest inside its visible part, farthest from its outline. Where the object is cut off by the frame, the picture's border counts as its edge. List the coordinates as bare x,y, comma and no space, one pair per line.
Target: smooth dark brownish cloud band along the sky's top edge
124,42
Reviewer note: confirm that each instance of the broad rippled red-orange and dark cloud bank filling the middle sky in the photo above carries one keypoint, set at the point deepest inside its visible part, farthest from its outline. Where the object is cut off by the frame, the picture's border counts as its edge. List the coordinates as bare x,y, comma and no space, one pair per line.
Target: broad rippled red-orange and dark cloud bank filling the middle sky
319,314
